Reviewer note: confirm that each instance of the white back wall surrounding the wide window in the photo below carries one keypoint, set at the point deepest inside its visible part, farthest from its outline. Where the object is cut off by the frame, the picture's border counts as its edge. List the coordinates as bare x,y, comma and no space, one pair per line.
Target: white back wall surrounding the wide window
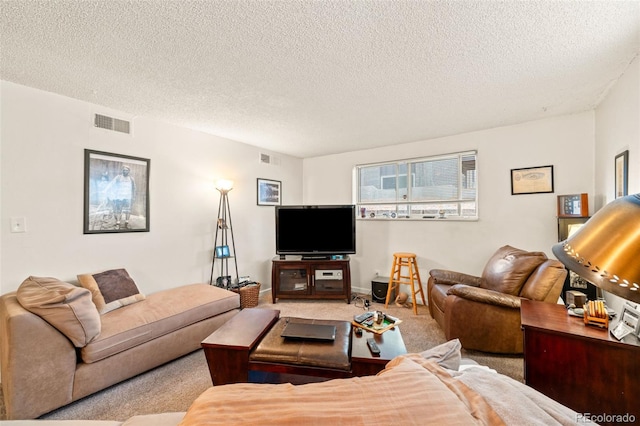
524,221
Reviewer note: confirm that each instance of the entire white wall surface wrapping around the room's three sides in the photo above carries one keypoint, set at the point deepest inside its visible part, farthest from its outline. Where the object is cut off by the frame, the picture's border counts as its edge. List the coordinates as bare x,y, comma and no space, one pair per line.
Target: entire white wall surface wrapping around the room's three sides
43,137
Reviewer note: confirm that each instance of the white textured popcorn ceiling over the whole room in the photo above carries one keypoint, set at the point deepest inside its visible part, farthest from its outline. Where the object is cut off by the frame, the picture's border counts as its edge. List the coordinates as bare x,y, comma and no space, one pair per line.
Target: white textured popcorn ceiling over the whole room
310,78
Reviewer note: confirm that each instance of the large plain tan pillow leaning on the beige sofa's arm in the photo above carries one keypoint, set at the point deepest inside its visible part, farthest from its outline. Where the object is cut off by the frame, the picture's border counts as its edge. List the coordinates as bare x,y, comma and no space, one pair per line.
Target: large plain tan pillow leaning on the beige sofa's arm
66,307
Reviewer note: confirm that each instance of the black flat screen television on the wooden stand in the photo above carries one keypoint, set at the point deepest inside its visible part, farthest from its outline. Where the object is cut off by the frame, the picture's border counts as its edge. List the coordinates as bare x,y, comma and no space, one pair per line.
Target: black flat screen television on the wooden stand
315,231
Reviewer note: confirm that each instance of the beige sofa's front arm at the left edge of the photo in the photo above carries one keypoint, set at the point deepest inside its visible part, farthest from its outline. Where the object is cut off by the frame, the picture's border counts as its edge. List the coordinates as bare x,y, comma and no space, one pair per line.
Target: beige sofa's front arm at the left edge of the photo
38,362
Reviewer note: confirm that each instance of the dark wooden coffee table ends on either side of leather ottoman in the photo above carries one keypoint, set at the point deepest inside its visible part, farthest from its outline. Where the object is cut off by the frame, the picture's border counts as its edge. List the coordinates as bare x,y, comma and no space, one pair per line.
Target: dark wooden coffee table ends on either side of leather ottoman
228,348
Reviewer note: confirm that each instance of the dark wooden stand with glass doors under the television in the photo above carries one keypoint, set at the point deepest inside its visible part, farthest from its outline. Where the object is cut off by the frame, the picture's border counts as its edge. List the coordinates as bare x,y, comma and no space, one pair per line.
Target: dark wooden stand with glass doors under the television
295,277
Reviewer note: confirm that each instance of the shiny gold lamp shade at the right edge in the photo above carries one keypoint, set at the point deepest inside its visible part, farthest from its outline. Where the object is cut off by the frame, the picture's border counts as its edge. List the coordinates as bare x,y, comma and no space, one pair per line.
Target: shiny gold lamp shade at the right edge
606,250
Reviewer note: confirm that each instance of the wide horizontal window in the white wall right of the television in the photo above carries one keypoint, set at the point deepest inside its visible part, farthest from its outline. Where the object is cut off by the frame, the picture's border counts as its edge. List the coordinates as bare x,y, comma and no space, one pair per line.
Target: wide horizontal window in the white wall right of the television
424,188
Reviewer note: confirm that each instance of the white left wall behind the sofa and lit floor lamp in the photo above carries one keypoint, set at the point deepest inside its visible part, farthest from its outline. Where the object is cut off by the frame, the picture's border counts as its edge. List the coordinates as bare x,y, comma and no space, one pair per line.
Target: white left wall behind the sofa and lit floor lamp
43,137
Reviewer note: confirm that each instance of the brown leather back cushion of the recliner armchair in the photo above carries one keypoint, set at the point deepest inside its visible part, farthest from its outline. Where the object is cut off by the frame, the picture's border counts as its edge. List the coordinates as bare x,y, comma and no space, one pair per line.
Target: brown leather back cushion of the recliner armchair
509,268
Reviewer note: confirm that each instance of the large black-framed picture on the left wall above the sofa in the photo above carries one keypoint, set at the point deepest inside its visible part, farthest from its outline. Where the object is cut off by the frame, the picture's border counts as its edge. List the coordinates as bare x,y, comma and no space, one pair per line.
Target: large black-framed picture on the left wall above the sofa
116,193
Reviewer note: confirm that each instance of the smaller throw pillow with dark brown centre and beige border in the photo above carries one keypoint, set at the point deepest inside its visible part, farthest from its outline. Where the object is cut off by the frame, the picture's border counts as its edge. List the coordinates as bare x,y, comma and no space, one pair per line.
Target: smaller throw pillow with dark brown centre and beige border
111,289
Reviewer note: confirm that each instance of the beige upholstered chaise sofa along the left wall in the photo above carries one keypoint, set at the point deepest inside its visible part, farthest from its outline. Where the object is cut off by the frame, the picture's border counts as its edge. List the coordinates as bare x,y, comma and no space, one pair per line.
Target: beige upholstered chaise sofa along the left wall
44,368
